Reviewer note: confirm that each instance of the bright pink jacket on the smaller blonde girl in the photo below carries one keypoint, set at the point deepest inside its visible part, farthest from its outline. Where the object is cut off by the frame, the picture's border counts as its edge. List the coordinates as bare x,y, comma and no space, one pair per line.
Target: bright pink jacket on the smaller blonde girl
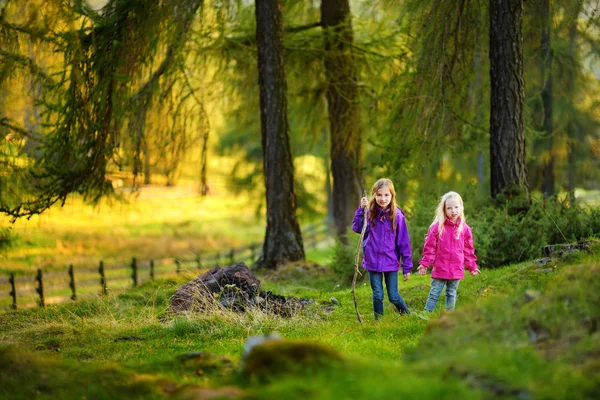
449,255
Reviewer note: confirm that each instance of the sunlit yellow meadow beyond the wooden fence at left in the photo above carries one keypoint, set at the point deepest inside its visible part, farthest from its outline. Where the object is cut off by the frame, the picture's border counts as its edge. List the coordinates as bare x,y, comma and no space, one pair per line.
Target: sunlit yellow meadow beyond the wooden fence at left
160,222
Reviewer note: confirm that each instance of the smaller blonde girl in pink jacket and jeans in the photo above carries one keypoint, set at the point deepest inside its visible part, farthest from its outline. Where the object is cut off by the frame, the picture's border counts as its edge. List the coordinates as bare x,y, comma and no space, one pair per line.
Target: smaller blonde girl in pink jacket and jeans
449,248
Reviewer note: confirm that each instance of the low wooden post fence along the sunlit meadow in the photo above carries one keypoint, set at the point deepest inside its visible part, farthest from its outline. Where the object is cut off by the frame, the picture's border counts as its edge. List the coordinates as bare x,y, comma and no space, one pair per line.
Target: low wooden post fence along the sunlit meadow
21,290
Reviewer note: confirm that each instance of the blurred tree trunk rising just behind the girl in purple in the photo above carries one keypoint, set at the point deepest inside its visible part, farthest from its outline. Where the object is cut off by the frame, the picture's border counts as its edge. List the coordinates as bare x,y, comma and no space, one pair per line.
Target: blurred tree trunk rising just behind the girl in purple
344,112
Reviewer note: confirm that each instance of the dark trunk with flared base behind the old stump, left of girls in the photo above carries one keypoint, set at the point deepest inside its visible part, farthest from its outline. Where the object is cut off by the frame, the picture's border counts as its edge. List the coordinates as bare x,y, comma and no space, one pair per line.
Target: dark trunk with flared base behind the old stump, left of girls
283,241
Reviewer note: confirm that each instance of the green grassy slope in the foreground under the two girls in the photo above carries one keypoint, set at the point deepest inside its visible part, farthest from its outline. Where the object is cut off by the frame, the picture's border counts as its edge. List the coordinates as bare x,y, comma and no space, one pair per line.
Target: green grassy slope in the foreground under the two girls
519,332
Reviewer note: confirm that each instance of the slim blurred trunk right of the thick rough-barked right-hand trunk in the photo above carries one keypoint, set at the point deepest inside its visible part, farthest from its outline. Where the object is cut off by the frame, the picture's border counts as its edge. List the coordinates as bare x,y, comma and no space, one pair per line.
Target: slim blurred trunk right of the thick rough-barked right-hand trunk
546,71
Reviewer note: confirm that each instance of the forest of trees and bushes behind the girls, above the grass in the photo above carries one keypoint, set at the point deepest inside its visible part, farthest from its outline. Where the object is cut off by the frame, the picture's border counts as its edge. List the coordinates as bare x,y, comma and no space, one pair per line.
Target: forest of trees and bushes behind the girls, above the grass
101,98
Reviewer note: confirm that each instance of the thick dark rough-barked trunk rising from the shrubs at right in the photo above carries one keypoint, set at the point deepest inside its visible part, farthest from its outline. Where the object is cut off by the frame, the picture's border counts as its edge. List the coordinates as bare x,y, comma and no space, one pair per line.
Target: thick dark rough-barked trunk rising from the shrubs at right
507,139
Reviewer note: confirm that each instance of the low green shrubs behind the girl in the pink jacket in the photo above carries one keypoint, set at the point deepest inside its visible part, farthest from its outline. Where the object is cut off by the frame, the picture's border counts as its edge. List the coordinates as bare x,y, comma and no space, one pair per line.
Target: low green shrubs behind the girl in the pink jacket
501,237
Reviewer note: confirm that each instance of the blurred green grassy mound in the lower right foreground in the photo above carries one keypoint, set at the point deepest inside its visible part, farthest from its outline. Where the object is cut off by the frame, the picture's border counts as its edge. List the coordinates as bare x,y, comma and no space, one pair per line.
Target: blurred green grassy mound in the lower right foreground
543,332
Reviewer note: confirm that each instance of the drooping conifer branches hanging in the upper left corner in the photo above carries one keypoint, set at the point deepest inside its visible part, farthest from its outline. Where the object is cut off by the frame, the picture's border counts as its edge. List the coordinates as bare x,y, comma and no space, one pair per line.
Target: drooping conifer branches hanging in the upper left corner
103,87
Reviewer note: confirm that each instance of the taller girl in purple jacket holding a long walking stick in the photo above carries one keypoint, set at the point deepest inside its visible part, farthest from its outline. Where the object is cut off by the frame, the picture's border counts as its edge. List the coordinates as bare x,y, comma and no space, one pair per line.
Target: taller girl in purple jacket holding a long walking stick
386,244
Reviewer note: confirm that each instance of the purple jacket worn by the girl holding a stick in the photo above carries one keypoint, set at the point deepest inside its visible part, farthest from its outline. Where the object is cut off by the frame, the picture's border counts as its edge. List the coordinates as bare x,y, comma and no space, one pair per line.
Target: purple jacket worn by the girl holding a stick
383,249
